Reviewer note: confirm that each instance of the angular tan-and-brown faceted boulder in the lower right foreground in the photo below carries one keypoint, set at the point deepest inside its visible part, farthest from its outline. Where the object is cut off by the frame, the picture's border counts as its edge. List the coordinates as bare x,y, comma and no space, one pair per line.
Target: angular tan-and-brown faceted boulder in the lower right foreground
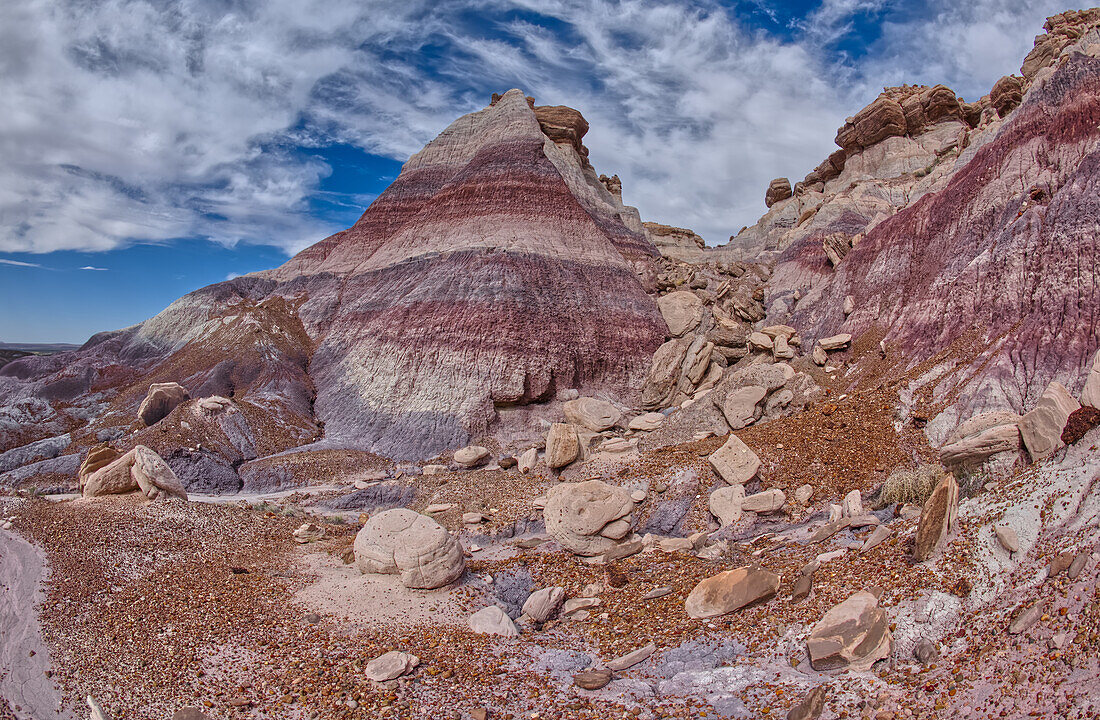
852,636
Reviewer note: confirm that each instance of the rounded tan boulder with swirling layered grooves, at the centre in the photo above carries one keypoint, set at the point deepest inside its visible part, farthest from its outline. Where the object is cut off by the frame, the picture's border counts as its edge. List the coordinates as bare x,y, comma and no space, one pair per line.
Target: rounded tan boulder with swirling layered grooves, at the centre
588,518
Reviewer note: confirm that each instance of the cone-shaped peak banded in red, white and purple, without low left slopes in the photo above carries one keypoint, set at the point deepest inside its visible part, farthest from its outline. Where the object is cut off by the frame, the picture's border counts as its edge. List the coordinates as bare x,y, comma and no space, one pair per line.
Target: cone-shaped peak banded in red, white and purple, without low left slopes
492,273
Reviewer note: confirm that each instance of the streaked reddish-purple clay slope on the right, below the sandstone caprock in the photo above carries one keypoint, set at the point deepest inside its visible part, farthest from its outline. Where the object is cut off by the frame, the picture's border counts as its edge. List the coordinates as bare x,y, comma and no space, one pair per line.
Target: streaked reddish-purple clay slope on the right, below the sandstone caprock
1000,267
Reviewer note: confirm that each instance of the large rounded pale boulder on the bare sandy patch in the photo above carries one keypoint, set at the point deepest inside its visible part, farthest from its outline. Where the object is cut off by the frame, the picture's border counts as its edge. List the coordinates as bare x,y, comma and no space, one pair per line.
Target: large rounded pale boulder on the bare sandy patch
415,547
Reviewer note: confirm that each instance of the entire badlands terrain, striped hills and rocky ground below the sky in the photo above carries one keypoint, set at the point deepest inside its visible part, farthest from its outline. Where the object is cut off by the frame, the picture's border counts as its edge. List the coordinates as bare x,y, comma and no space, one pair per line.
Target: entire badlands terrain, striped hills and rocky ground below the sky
503,450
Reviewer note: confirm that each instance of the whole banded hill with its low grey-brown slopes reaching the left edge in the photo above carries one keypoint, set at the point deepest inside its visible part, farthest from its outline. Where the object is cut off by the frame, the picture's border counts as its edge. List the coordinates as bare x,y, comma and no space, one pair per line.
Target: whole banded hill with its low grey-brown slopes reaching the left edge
496,271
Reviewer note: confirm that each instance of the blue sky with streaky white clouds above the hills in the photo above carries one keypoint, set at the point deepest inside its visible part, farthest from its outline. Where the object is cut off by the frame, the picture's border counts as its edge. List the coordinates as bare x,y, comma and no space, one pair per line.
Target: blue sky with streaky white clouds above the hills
173,145
